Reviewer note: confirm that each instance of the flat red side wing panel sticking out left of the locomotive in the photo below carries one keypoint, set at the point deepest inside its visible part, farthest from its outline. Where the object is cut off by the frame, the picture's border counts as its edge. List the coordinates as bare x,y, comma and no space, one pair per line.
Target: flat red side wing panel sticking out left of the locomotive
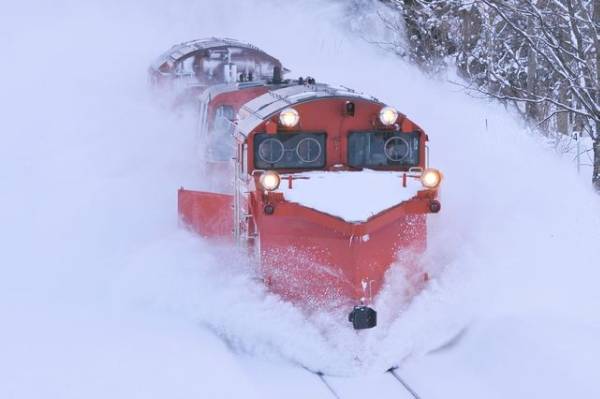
208,214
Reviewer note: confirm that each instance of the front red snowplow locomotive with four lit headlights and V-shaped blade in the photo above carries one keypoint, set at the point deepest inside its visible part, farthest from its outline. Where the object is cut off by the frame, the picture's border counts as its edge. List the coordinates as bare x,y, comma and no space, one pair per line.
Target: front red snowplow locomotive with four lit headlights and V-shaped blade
326,187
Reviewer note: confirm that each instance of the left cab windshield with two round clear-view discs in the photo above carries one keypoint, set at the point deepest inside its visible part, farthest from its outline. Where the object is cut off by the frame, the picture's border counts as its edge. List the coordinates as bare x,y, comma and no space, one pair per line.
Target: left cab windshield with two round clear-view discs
289,151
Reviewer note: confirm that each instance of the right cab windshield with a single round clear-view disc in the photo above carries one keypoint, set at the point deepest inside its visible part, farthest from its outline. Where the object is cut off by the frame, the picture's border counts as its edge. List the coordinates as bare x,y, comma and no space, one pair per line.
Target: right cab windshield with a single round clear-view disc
383,149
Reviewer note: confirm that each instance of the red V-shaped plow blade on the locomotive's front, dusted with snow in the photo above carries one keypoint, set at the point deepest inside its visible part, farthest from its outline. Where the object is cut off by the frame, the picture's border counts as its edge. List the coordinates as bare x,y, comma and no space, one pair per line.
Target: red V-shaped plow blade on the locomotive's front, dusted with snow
312,257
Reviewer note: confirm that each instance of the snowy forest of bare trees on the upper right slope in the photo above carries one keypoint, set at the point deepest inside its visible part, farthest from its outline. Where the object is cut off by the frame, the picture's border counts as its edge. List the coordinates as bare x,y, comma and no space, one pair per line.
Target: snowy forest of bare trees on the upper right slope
541,57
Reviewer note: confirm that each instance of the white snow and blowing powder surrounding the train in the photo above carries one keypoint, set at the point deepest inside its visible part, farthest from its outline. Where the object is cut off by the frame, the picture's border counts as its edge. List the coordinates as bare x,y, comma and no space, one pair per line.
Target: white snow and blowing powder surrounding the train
102,295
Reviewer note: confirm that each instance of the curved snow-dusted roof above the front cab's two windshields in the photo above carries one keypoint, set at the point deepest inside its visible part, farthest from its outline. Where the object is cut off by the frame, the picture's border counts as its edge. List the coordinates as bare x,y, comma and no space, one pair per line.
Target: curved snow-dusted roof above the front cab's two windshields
262,107
